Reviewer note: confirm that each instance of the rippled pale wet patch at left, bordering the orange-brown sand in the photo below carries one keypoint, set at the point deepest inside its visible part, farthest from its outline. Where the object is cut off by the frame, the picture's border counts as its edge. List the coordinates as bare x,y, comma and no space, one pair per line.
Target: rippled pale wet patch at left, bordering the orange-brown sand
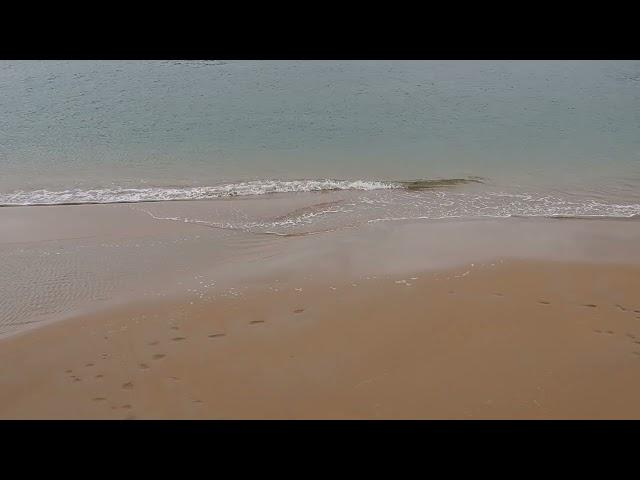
46,280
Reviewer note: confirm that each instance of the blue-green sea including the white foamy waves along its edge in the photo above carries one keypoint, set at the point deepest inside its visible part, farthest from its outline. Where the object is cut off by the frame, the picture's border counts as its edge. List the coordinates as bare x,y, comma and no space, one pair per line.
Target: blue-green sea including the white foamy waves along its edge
394,139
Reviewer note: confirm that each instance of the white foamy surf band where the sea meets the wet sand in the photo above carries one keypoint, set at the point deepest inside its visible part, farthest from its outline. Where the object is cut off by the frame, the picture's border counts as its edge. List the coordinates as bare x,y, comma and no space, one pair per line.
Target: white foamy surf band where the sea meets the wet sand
361,202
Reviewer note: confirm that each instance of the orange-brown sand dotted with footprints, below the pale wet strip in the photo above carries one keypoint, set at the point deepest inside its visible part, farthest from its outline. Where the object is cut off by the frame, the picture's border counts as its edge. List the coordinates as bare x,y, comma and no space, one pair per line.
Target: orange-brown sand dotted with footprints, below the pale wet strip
499,339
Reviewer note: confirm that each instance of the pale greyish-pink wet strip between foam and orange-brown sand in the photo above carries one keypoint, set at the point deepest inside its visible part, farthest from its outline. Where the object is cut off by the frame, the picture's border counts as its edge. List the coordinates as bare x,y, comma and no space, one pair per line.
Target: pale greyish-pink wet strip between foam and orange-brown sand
125,254
